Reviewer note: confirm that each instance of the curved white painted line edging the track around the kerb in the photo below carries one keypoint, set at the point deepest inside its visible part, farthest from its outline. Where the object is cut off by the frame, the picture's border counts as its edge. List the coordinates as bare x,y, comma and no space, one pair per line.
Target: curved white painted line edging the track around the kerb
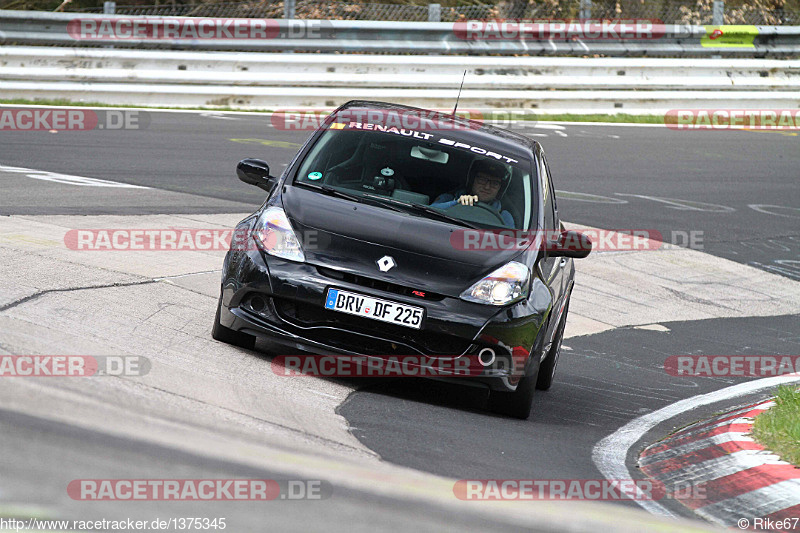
611,453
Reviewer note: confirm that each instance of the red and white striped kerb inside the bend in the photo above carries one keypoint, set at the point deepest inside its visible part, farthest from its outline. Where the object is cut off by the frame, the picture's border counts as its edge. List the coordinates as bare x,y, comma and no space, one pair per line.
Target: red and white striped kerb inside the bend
736,477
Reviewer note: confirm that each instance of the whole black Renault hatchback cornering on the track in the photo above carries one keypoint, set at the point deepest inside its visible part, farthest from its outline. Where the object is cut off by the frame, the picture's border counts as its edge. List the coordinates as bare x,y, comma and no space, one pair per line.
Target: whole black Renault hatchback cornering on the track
397,231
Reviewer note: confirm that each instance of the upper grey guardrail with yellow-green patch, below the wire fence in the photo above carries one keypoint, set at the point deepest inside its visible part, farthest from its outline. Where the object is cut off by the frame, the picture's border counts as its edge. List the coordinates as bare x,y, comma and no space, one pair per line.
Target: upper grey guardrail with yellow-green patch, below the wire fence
41,28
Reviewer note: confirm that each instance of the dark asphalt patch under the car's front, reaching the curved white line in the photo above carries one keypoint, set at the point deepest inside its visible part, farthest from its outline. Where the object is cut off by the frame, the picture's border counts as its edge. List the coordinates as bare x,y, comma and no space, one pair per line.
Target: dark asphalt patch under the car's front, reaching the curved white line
603,381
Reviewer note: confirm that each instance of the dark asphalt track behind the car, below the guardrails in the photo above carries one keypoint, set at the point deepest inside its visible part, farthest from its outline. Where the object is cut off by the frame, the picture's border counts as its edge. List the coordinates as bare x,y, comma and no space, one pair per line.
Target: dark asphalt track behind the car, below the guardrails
736,191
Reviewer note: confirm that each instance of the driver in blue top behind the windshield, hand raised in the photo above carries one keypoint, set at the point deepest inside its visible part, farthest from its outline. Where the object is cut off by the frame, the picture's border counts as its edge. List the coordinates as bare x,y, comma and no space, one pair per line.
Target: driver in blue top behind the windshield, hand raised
486,180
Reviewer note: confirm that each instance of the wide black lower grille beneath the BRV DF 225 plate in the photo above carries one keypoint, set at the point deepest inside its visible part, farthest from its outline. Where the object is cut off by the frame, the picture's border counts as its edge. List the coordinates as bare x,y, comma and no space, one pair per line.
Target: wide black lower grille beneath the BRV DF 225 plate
398,340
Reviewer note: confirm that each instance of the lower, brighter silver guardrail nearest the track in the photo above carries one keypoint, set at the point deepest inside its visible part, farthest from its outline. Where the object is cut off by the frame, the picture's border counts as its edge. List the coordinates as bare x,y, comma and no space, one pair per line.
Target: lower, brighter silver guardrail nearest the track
270,81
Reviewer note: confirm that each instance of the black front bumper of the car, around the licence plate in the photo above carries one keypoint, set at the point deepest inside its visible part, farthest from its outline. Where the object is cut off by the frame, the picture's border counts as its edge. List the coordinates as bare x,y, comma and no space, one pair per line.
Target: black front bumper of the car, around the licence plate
283,302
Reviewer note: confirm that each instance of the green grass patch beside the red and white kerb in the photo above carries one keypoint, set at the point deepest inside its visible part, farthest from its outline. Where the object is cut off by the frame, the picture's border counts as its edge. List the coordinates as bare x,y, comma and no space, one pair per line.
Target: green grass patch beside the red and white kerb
778,429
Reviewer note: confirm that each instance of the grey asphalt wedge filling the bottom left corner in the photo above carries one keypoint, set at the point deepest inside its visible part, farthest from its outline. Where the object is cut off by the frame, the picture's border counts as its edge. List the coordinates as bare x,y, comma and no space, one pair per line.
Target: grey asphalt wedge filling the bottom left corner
43,457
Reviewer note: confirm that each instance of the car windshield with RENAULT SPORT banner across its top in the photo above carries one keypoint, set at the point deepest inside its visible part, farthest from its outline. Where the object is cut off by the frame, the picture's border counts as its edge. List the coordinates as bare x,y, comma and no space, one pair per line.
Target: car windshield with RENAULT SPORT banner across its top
425,174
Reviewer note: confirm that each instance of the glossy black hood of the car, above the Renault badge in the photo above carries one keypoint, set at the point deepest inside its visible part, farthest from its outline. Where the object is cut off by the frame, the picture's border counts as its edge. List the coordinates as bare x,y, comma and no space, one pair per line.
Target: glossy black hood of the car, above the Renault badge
352,237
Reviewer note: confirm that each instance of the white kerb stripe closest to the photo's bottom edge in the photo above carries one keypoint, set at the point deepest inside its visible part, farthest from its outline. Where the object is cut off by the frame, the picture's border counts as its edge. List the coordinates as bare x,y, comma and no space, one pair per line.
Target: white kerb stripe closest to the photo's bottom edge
759,502
